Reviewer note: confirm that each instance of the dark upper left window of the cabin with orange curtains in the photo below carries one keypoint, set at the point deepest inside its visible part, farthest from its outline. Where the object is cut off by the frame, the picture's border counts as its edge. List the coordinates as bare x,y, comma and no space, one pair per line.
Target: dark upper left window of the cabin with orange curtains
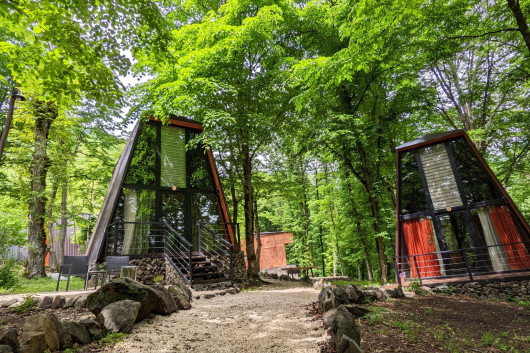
412,193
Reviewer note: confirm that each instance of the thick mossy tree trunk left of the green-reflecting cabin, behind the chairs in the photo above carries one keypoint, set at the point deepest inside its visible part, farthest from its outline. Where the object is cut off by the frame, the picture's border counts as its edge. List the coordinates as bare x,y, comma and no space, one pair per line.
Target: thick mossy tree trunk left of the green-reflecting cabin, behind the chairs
45,114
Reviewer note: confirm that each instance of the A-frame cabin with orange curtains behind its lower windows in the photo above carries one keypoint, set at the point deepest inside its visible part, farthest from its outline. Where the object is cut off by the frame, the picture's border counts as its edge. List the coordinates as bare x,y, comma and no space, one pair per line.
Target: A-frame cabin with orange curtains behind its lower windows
454,218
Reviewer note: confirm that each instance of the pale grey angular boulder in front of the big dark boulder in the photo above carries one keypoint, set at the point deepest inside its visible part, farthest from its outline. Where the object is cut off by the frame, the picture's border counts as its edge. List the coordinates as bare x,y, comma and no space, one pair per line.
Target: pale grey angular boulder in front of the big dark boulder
119,316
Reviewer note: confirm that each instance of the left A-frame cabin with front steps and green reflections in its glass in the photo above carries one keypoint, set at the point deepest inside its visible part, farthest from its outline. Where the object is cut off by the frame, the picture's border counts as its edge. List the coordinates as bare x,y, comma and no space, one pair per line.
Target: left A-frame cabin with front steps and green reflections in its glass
165,200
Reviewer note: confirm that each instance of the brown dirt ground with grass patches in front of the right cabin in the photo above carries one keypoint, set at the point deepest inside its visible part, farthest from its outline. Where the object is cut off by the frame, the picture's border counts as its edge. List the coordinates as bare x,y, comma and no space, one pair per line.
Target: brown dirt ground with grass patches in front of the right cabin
443,323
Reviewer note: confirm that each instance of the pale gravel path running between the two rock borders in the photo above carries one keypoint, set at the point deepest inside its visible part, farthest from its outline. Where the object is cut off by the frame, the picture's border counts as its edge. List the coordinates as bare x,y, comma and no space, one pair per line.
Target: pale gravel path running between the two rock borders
274,319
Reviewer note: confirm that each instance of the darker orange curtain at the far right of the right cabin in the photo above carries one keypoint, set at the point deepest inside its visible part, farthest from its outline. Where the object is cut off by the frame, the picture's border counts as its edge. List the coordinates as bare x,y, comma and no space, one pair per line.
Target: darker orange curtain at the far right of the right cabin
507,231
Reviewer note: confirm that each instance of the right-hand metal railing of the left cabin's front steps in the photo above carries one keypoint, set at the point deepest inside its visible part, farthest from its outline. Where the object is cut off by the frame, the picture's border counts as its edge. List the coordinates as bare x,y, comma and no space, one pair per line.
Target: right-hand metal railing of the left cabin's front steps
218,250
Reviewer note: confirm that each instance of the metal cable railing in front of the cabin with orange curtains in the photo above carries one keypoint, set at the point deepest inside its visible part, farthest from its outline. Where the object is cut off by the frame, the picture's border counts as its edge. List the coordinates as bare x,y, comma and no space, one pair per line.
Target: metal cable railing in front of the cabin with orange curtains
462,263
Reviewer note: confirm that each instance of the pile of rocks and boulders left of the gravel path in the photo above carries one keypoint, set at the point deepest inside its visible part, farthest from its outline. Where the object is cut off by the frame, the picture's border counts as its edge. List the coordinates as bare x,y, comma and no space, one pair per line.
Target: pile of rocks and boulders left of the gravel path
116,306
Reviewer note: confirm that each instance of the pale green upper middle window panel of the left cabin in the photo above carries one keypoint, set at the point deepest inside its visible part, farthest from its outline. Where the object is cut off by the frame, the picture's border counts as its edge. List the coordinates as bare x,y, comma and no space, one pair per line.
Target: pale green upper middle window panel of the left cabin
173,157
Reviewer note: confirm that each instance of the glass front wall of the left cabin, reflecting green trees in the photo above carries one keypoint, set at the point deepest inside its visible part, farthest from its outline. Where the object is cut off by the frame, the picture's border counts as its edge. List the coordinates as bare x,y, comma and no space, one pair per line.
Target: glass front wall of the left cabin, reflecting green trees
168,179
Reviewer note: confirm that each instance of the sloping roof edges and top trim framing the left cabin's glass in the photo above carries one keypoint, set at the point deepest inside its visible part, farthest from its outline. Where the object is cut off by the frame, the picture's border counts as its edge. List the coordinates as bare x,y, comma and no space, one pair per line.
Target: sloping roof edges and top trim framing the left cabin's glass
96,244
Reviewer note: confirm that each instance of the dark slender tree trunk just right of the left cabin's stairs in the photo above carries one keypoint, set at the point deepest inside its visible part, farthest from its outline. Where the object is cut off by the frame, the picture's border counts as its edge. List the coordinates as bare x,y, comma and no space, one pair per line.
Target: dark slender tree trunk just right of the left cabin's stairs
248,192
